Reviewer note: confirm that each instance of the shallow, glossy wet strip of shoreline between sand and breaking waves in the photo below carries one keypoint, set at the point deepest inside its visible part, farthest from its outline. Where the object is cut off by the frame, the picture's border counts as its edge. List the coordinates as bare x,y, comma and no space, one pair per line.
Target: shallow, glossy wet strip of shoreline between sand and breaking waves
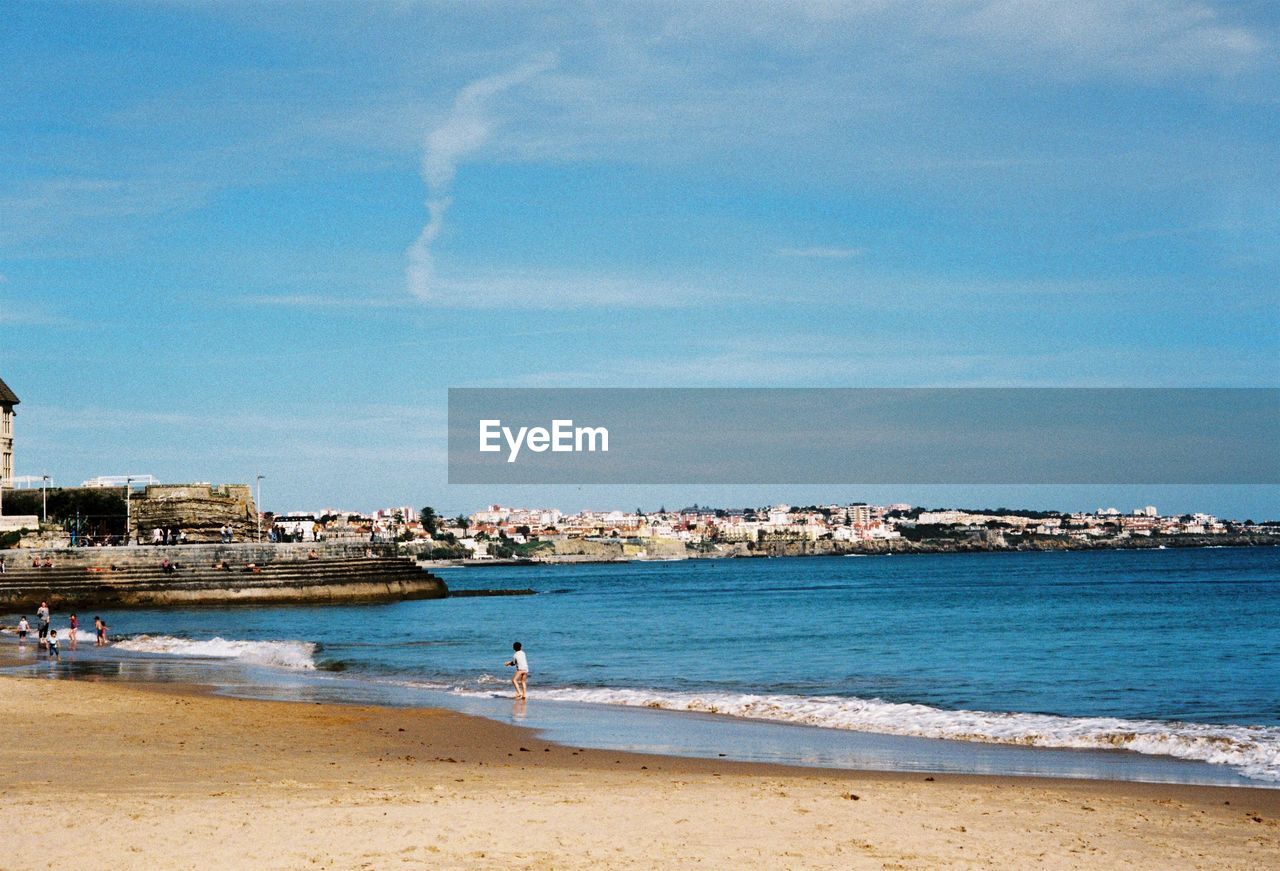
644,729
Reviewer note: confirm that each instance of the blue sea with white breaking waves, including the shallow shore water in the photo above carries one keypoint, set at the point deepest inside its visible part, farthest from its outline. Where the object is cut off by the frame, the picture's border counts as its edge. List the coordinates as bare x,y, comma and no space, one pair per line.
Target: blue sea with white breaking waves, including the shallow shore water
1154,665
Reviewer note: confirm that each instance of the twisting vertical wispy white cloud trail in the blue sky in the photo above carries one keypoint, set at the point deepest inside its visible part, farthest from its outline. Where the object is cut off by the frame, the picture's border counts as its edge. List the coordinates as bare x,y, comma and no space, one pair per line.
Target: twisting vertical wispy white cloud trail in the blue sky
467,130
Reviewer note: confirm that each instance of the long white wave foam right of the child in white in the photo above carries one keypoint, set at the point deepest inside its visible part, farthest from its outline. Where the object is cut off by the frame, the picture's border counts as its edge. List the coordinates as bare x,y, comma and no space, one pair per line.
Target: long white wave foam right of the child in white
1254,751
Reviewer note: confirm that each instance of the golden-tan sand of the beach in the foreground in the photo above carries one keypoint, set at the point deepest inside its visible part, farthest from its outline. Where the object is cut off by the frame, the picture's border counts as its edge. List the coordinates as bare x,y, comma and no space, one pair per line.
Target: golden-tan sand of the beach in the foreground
118,777
